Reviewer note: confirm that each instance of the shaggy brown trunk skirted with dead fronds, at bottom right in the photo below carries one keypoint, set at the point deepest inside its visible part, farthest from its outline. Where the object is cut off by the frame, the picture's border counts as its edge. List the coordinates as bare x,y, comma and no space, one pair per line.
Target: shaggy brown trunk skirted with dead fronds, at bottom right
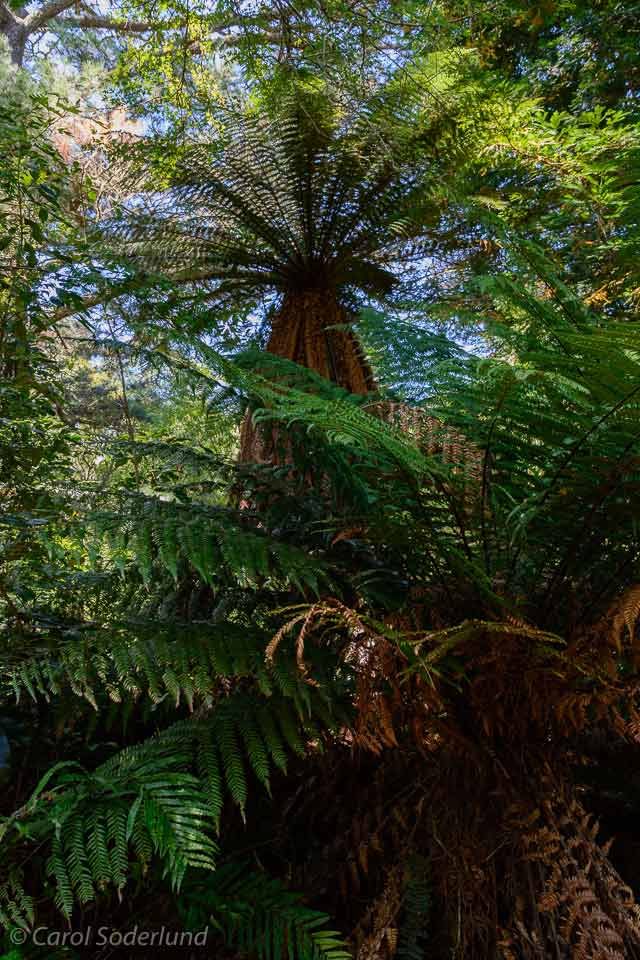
459,856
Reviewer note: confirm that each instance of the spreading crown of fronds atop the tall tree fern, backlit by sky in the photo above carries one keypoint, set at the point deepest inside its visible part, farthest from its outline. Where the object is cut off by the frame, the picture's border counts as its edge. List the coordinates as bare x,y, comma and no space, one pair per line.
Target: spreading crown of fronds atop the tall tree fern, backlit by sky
311,196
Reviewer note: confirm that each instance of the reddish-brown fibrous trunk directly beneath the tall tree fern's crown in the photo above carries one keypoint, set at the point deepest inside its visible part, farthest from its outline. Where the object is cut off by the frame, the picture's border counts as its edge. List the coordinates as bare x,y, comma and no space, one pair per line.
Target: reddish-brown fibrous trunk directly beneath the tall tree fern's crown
311,328
